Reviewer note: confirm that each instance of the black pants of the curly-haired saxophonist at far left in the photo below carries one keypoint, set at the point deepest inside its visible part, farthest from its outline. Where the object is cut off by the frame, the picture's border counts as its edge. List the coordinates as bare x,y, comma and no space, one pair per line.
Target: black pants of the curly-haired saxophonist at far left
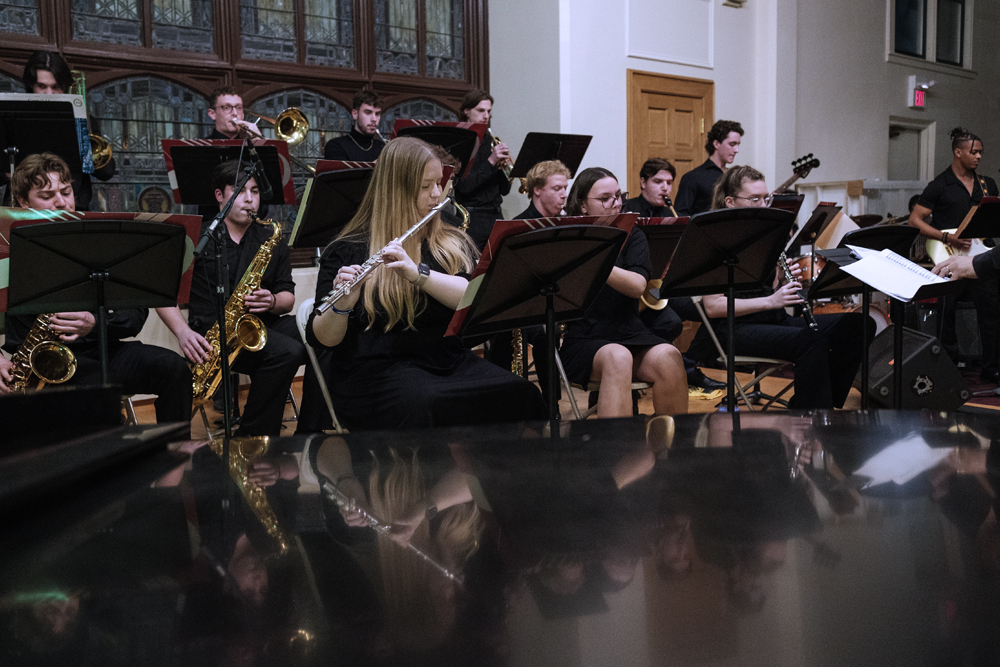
143,369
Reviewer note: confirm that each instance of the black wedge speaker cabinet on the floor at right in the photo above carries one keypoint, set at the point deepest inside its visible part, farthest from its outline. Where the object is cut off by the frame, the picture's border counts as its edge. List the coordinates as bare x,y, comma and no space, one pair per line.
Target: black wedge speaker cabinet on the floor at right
930,378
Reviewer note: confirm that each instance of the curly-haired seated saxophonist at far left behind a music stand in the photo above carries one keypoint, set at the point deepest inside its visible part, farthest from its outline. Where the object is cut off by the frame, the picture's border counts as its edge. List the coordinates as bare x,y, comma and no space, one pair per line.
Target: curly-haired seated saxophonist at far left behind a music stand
43,182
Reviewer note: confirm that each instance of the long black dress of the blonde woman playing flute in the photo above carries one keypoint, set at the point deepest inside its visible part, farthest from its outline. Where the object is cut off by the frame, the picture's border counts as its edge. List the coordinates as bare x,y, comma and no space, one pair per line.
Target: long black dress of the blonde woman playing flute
413,378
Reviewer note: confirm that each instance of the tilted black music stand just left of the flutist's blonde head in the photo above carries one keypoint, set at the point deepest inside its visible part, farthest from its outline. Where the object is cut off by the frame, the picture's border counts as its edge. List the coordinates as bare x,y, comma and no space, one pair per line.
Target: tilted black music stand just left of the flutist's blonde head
330,201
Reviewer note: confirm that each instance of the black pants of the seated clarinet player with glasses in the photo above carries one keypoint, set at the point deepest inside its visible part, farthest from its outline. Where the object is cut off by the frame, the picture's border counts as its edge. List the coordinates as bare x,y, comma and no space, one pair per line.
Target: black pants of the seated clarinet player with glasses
826,360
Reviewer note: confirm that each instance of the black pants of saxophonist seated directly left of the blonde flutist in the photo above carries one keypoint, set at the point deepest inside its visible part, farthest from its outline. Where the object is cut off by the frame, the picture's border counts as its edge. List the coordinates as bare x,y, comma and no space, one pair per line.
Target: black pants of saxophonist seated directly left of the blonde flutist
271,371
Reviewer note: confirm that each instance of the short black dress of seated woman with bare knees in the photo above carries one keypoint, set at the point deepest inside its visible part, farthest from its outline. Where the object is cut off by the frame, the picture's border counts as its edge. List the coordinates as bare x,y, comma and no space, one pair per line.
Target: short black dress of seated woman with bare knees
613,318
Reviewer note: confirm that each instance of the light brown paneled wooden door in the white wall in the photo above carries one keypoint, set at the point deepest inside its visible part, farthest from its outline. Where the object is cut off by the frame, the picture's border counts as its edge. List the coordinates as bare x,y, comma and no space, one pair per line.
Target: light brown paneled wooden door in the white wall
668,117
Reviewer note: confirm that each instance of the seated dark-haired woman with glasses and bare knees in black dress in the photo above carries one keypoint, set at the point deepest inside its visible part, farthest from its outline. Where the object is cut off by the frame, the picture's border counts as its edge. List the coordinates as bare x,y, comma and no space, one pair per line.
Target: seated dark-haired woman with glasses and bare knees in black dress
611,344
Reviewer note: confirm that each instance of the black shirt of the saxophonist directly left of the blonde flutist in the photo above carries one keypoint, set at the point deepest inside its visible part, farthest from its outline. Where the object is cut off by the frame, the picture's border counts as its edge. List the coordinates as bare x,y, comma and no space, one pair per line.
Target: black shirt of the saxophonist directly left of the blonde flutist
277,276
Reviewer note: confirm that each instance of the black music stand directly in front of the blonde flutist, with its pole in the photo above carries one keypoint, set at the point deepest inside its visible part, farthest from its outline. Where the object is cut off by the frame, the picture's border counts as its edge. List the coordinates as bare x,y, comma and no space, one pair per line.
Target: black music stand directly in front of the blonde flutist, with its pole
544,276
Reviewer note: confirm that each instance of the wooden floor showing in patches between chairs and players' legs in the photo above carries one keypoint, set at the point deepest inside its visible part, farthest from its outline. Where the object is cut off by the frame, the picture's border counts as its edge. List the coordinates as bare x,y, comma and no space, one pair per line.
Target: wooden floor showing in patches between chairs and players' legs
145,414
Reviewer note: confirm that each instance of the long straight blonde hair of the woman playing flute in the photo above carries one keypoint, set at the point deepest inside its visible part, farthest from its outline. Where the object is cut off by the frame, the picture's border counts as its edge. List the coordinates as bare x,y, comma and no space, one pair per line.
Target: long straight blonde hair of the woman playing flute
388,209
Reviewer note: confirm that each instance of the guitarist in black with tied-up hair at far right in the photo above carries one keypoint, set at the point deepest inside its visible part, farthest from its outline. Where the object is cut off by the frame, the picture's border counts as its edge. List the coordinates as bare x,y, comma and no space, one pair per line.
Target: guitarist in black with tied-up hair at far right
949,198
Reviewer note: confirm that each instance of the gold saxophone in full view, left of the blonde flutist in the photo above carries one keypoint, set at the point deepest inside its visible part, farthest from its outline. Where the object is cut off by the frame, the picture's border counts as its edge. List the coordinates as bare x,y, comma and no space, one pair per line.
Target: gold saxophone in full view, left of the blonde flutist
244,331
